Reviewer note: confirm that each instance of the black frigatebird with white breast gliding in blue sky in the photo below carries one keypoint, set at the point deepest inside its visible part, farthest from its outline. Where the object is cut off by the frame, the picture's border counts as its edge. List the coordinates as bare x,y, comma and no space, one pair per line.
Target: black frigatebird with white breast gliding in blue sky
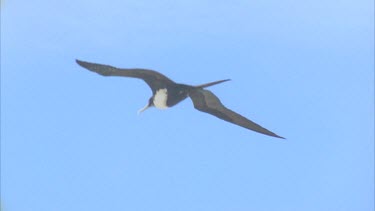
167,93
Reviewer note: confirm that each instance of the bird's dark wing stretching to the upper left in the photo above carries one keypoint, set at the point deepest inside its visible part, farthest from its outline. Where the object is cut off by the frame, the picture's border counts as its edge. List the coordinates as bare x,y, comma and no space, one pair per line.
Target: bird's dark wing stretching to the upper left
154,79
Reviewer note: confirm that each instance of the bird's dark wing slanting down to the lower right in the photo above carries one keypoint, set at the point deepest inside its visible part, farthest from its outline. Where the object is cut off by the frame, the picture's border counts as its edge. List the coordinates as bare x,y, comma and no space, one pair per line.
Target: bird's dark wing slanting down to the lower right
206,101
